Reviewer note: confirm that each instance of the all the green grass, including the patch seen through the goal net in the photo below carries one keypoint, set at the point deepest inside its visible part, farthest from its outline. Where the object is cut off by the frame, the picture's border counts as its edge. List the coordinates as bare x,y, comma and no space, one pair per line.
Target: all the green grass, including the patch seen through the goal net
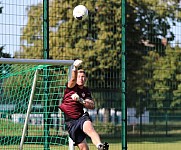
134,143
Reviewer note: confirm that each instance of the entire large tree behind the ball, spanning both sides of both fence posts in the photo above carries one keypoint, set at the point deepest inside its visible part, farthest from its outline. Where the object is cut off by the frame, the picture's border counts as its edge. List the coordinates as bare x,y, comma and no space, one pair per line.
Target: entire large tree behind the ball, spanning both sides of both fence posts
97,40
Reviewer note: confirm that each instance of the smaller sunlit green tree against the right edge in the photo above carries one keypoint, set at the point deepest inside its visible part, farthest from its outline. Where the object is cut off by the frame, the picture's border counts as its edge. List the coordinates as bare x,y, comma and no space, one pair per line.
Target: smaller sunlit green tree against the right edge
166,79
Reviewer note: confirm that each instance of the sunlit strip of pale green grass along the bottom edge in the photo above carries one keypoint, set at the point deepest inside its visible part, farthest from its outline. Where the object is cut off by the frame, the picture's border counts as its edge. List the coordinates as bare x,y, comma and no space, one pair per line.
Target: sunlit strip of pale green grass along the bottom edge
162,144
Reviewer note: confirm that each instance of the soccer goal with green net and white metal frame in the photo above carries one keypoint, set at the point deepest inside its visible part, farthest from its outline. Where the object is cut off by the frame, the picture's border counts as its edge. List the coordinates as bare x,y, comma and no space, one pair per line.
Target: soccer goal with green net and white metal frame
30,92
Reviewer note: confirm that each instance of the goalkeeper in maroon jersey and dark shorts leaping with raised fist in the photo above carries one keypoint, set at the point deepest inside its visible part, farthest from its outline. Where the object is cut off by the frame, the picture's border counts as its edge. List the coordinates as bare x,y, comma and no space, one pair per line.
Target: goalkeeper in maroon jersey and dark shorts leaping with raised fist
78,122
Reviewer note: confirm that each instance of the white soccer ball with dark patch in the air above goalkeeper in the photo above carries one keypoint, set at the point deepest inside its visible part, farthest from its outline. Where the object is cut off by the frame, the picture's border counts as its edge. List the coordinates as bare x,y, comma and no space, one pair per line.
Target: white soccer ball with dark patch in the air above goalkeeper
80,12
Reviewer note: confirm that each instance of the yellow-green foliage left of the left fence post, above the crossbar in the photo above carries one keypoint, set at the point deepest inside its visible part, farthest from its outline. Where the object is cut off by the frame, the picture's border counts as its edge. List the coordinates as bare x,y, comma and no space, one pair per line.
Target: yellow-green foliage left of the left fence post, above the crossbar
31,39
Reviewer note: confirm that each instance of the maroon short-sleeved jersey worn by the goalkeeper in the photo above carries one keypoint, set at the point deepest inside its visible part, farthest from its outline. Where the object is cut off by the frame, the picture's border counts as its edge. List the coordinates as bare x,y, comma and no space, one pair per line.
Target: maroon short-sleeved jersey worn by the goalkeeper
73,109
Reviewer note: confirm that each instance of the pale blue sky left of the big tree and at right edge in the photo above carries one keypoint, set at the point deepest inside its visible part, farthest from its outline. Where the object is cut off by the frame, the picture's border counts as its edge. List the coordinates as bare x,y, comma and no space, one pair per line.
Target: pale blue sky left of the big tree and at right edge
14,17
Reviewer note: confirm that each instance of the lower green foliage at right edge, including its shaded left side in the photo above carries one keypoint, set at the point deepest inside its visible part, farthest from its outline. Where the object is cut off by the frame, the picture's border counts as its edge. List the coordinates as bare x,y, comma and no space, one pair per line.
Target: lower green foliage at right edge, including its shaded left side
161,85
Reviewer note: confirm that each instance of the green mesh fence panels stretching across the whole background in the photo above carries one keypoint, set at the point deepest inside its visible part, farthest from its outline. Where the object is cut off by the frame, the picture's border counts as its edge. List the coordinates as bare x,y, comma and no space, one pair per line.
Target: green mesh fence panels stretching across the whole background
153,63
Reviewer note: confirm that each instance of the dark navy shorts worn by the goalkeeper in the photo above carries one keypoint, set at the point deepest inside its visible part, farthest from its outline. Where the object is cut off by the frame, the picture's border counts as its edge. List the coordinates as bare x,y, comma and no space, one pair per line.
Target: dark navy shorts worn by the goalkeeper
75,128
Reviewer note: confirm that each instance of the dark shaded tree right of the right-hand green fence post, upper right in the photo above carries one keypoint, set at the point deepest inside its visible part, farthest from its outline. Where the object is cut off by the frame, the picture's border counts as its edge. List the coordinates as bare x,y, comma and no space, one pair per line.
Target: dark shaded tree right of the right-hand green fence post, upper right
149,25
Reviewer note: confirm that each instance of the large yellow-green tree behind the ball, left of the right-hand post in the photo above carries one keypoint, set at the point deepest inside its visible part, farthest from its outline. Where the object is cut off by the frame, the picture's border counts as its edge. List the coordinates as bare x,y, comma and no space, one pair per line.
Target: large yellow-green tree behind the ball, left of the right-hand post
95,41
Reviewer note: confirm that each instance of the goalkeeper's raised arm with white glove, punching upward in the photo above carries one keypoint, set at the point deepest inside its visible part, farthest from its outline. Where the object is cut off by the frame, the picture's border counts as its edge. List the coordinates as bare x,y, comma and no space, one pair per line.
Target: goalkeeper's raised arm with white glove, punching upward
73,79
